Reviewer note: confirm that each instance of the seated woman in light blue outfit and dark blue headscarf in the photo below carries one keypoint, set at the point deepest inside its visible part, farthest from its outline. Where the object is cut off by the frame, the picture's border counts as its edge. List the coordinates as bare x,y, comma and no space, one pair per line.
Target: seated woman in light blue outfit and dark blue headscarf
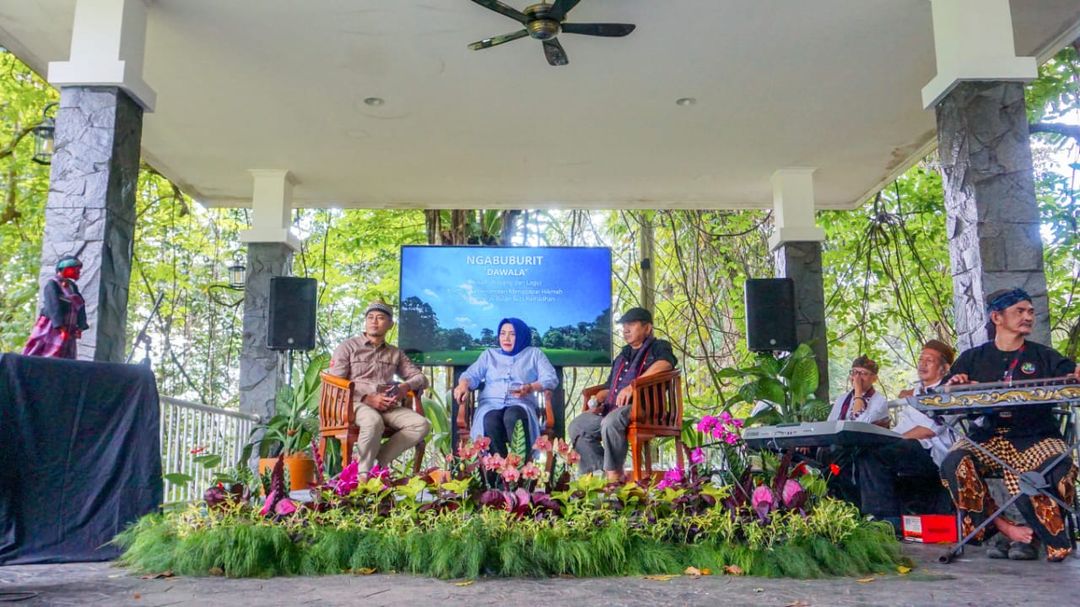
510,375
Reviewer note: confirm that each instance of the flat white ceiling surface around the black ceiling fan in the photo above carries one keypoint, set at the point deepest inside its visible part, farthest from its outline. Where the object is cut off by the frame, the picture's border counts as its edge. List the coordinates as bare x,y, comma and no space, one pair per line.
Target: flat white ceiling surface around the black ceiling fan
246,85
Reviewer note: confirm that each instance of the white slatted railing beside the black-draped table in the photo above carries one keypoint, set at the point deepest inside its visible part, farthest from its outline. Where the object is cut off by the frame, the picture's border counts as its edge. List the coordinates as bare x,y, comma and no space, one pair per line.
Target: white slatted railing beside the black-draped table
190,430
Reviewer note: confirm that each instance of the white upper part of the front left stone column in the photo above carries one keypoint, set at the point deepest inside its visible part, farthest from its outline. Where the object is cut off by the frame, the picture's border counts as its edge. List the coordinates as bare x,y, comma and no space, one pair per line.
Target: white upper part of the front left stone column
109,44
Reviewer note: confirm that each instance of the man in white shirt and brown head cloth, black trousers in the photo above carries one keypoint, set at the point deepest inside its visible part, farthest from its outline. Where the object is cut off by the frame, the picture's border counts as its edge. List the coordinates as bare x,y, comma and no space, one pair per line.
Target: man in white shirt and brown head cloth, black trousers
926,444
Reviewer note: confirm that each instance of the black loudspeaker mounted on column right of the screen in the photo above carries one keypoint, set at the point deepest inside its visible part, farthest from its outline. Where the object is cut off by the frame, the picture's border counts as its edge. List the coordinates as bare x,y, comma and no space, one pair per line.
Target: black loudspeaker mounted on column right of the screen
771,315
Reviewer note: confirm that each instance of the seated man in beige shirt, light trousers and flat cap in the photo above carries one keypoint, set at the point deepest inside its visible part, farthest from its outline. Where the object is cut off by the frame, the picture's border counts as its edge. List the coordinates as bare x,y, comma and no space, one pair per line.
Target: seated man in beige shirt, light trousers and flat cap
370,362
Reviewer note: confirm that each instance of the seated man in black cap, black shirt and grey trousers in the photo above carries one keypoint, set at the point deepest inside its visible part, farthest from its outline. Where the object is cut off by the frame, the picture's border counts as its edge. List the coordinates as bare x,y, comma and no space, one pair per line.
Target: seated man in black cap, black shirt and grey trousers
600,435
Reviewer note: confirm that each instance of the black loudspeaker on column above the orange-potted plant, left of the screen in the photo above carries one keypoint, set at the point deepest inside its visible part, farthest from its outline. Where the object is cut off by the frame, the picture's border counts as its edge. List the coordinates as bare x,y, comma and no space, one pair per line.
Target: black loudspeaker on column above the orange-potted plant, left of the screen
292,323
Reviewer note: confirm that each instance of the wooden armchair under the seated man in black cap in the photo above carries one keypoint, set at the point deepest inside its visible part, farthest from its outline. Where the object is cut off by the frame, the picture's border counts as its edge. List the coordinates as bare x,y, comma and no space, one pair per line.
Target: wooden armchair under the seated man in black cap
656,413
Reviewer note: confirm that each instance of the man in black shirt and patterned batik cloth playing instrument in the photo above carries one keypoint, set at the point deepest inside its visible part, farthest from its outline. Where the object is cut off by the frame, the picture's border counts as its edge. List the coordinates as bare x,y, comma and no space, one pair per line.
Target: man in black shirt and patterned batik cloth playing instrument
1027,438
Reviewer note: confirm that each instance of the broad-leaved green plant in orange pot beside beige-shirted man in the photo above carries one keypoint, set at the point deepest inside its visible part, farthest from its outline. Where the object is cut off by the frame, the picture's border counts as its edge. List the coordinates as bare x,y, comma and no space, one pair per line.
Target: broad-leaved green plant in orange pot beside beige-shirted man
291,430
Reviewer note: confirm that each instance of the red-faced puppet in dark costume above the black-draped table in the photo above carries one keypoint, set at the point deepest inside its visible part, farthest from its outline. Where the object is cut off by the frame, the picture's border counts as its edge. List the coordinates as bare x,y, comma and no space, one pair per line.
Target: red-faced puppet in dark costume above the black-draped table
63,316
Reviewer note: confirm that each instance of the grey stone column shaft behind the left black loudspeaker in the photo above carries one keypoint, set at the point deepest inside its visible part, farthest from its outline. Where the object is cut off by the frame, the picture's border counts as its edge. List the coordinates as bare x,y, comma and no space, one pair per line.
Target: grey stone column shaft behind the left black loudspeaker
262,370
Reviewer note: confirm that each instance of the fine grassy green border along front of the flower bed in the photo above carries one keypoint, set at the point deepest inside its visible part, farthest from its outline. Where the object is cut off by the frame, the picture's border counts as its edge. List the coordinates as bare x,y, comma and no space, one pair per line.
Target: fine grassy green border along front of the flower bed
456,545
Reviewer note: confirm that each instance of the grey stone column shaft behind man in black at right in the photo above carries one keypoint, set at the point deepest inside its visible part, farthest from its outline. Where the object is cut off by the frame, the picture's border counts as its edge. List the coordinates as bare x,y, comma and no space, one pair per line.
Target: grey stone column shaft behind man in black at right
990,201
